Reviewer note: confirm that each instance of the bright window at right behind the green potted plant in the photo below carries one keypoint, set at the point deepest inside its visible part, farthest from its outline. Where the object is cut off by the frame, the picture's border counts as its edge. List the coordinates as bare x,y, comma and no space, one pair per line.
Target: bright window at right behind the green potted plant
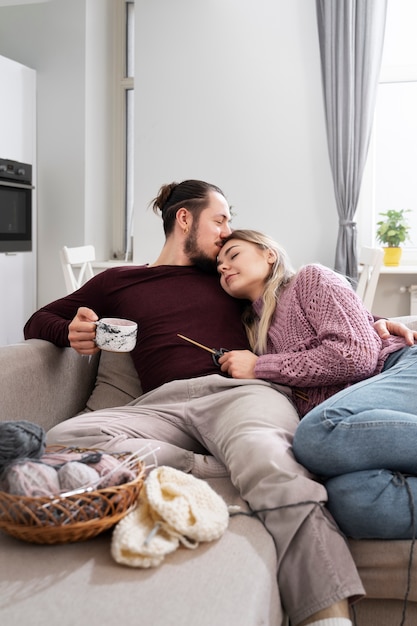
389,180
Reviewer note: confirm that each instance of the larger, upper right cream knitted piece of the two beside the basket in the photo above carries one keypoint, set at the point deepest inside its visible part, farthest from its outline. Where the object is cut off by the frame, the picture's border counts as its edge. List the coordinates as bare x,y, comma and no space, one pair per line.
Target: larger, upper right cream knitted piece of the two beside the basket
187,504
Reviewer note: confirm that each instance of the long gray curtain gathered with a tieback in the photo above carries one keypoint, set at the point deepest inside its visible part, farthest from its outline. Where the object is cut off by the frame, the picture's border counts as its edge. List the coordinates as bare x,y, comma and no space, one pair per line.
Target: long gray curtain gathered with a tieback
351,35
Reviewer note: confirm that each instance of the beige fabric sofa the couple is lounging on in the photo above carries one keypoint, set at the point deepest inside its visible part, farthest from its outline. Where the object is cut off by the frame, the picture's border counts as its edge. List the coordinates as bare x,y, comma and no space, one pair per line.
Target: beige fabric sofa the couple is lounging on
225,582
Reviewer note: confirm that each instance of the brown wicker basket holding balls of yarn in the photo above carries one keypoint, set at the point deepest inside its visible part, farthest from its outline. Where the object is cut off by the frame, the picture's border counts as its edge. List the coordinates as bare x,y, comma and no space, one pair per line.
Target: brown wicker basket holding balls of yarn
71,518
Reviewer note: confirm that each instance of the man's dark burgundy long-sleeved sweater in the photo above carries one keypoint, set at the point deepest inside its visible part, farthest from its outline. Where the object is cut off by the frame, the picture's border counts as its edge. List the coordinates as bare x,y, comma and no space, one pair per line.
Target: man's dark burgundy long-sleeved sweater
163,300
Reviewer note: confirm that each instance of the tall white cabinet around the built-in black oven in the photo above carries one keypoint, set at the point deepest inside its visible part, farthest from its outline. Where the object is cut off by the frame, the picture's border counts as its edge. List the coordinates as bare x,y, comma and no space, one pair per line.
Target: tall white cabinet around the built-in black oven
18,143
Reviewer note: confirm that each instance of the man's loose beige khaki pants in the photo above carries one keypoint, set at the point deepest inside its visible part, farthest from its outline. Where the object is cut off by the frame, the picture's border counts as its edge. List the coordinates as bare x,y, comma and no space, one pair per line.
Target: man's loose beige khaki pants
248,425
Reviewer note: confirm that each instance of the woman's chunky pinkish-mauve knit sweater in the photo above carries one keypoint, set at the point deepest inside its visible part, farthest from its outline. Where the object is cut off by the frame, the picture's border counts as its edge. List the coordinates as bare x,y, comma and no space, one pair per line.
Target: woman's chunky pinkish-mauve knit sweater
321,338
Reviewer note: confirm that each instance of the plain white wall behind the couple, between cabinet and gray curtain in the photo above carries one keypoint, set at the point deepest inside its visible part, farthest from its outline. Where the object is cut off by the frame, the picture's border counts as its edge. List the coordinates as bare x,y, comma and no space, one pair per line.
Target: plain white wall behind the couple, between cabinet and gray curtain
227,90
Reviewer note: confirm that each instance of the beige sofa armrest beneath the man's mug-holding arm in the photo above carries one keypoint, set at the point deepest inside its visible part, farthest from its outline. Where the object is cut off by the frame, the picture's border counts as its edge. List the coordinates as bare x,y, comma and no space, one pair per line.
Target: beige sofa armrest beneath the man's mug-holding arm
42,383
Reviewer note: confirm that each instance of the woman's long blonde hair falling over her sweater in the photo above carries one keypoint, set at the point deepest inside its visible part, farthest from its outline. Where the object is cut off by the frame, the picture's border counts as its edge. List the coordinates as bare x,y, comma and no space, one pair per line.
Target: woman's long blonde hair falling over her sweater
280,275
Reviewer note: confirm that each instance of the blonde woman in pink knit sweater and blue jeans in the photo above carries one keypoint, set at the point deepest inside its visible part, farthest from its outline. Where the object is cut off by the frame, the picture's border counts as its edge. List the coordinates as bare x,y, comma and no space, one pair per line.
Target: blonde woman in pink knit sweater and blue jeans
309,330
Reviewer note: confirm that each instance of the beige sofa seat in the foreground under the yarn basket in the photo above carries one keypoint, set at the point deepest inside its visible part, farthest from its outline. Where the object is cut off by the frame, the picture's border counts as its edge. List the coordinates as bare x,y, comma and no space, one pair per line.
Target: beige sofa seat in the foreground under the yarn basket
224,582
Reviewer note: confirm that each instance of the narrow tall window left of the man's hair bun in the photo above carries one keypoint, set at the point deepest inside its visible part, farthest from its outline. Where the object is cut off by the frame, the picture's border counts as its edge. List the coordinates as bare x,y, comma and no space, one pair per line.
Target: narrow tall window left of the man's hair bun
124,135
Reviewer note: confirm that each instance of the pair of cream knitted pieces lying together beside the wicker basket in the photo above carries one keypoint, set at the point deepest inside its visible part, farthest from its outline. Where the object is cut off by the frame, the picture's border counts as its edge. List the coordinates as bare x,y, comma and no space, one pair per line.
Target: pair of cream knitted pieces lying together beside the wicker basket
174,507
